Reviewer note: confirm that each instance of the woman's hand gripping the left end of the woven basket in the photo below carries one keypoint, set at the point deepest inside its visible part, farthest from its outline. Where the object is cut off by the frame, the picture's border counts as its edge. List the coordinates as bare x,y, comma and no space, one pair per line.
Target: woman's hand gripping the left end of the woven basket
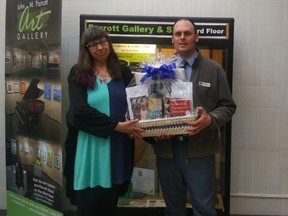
131,128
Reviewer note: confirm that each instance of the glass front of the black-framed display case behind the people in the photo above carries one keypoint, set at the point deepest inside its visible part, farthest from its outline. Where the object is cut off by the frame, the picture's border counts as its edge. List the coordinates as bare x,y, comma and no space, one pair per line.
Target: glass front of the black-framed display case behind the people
146,190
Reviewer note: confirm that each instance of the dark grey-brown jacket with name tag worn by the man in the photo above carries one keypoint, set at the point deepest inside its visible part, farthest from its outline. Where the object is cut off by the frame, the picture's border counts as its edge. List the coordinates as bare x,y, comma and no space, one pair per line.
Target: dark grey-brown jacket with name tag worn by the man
212,92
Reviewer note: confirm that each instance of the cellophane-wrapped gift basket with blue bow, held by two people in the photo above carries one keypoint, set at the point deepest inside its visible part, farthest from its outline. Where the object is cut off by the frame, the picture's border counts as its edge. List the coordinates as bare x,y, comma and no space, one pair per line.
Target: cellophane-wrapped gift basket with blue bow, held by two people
161,99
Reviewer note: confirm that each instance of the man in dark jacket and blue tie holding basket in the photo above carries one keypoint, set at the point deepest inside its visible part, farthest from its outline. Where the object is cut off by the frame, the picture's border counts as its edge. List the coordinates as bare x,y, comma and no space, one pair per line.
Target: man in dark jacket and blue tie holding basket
187,163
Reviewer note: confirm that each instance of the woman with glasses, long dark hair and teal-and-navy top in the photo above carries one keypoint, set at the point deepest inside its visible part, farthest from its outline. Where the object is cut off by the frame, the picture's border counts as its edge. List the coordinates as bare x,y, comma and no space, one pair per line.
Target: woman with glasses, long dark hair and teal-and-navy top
99,148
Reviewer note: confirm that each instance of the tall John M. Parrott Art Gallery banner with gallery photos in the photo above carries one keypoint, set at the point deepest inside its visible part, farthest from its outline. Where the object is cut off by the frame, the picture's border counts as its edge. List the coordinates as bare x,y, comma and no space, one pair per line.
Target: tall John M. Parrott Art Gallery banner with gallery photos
33,108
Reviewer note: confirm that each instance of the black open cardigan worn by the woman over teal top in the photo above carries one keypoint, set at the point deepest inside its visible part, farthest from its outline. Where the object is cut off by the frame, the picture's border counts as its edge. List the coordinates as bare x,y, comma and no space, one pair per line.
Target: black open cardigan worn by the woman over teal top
104,125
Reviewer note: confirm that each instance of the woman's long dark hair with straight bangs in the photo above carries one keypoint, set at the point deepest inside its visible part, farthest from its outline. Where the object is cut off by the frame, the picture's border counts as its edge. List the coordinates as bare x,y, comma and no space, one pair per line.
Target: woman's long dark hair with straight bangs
85,74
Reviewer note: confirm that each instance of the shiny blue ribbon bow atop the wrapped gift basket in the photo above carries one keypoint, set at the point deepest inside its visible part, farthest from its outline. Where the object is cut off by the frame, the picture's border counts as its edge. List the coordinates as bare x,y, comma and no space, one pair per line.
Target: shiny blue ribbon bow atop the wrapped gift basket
163,72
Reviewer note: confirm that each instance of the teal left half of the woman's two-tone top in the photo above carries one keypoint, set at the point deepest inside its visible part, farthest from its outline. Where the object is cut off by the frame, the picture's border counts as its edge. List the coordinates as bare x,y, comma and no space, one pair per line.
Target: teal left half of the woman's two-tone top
93,162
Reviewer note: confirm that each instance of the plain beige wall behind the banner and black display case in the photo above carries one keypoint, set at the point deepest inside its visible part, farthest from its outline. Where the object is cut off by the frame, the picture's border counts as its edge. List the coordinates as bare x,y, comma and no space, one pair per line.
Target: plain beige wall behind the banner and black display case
259,140
